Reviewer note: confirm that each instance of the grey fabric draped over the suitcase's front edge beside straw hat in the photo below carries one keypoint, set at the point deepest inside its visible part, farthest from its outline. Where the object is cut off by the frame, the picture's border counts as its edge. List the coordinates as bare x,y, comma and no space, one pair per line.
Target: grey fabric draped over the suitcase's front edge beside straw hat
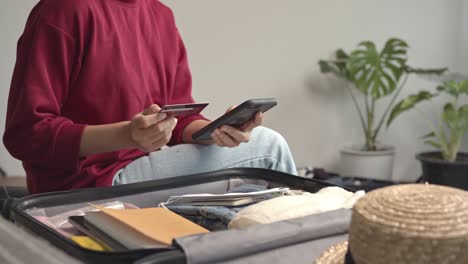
265,241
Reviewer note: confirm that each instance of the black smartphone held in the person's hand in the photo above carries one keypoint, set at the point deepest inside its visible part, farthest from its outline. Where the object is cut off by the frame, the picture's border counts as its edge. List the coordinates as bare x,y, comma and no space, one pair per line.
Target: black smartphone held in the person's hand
236,117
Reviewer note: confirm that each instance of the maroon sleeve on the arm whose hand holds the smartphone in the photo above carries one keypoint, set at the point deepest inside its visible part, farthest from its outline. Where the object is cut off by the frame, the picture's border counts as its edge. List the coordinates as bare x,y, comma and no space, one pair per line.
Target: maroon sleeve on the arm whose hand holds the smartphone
182,93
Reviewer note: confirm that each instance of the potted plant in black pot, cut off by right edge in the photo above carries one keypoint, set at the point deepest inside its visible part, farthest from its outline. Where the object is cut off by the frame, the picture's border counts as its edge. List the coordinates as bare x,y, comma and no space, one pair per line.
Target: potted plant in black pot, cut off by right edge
447,166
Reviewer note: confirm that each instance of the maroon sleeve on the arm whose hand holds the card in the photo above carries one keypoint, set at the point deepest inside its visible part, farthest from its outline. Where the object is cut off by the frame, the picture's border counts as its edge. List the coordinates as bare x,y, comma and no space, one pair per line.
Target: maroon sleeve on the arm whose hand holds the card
35,131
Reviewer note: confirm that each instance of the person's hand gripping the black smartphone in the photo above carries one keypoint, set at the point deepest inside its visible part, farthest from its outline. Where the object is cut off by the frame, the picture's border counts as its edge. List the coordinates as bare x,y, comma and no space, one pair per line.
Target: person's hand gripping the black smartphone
228,136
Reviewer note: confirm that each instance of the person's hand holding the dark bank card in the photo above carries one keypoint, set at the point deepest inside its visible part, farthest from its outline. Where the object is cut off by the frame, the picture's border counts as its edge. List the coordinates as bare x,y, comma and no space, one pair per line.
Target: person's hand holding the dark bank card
150,130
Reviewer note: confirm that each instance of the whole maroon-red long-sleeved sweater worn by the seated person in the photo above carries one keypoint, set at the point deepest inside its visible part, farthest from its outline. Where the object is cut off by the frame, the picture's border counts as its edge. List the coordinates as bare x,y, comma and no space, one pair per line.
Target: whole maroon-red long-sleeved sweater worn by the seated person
88,62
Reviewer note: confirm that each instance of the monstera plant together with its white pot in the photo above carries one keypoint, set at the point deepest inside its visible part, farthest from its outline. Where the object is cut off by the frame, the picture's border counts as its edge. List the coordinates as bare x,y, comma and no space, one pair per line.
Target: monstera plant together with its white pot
372,75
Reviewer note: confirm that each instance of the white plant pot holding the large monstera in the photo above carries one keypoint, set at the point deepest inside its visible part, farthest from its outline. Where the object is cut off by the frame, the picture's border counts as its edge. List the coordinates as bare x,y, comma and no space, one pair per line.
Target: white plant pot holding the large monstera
367,164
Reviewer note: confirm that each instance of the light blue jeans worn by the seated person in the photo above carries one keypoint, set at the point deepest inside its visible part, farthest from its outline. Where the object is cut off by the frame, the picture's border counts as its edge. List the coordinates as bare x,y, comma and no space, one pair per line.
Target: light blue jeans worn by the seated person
266,149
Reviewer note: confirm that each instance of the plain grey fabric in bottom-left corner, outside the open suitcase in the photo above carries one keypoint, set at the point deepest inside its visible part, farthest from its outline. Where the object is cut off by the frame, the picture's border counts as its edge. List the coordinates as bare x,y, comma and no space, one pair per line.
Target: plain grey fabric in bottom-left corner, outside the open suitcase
18,247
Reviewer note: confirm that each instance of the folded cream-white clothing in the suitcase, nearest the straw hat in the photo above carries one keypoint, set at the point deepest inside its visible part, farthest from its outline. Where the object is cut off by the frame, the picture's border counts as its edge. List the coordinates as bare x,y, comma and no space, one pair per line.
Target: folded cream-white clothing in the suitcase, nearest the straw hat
288,207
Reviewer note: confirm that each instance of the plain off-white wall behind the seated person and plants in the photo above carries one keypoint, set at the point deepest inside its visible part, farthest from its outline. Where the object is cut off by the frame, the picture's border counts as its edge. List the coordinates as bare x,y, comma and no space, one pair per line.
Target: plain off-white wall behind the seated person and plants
269,48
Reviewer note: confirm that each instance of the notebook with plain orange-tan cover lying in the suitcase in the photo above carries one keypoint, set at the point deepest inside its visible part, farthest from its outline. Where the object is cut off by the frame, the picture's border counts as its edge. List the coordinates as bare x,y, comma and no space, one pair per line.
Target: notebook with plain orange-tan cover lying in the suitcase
143,228
